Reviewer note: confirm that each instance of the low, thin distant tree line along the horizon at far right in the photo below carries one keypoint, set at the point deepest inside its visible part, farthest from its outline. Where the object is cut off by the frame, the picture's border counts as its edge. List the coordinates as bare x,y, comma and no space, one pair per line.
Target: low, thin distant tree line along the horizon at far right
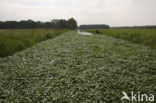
136,27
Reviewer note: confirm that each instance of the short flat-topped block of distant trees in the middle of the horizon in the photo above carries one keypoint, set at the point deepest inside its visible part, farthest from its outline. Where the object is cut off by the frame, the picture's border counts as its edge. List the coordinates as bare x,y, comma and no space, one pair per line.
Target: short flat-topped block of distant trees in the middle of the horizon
96,26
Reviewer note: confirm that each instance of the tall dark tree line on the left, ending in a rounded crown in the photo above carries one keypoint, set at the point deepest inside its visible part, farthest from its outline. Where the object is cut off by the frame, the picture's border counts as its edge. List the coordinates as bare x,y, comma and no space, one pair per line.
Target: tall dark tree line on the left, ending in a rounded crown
29,24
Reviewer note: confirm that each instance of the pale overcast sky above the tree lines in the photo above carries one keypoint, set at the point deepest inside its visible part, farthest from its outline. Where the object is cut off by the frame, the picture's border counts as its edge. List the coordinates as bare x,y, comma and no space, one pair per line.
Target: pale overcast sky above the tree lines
111,12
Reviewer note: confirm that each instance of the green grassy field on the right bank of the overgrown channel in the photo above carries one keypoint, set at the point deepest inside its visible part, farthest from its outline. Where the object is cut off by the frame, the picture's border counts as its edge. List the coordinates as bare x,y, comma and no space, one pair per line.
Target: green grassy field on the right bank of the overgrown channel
143,36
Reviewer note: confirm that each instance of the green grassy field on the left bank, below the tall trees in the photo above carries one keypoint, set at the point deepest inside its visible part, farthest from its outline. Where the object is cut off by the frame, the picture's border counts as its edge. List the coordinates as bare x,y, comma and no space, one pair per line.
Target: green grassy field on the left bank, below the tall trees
12,41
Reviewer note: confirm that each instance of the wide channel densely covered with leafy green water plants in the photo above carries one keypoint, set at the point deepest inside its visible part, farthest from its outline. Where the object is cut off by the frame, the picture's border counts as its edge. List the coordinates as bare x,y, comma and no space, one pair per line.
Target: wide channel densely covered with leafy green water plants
74,68
